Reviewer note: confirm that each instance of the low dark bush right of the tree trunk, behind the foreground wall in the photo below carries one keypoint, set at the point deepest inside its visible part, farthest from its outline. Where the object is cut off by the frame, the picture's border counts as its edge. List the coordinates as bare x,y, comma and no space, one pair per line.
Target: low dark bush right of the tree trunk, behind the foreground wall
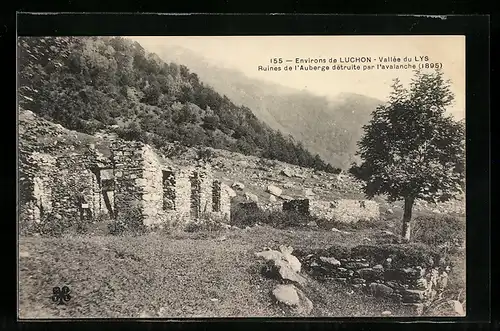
439,231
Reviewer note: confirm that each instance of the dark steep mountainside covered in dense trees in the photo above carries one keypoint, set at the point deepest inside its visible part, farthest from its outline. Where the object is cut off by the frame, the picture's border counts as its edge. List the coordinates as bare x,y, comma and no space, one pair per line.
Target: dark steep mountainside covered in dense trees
94,83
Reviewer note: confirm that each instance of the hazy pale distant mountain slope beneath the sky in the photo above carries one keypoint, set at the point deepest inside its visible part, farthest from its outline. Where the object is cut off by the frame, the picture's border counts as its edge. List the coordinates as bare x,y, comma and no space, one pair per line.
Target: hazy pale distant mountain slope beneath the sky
329,127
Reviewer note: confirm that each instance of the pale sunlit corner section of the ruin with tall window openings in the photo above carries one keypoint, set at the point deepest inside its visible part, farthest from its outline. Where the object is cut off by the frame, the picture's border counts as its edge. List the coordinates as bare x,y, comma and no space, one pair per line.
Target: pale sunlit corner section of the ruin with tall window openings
161,193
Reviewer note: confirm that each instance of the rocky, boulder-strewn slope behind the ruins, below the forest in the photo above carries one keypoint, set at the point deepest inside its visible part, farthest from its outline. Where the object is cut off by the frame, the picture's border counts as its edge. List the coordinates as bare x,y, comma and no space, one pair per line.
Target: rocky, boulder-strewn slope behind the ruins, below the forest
254,173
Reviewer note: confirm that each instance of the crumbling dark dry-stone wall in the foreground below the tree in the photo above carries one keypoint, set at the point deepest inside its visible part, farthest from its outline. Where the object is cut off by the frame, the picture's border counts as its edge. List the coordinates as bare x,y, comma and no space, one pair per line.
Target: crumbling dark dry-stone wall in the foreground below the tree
412,283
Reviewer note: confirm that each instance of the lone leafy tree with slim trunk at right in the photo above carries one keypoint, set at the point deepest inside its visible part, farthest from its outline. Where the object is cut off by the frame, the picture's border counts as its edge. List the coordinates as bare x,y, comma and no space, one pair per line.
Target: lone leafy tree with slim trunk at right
411,149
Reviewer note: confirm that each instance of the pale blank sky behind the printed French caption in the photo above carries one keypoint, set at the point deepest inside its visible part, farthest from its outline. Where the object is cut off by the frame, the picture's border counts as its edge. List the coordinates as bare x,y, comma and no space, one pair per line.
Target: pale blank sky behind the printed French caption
246,53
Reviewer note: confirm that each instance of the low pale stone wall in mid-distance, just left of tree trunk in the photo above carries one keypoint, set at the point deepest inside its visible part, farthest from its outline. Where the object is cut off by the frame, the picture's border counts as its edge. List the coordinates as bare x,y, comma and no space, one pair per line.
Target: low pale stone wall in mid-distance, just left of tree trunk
344,210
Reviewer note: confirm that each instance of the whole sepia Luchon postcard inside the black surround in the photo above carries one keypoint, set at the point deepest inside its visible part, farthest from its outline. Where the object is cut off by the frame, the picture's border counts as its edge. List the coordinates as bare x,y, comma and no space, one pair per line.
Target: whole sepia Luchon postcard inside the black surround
241,176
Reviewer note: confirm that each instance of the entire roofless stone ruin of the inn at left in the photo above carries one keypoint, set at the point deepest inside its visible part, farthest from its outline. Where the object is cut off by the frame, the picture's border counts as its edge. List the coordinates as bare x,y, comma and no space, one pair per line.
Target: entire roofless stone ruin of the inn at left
135,182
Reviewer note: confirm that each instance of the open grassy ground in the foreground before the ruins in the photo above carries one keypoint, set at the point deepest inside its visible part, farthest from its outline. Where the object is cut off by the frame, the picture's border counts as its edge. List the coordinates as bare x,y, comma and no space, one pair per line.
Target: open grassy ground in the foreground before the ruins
185,275
